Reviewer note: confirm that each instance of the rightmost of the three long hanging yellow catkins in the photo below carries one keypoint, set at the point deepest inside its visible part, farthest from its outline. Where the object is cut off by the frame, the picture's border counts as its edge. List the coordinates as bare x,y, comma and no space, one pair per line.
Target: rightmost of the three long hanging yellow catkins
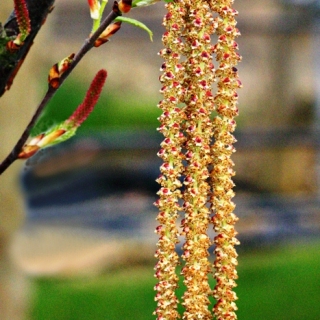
222,149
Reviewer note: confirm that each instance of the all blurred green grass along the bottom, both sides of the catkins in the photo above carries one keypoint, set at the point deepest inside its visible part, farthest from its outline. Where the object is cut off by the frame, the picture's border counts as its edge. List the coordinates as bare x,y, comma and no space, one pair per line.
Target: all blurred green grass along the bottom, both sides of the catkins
277,284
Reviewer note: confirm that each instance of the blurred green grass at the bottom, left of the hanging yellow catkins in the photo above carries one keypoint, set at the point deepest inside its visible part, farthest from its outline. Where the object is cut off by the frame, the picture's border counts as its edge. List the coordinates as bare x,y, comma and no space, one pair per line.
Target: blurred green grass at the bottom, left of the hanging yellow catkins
118,295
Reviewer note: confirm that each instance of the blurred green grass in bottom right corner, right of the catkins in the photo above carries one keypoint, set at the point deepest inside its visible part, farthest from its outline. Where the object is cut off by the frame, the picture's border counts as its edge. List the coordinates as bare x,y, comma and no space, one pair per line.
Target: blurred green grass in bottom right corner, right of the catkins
281,284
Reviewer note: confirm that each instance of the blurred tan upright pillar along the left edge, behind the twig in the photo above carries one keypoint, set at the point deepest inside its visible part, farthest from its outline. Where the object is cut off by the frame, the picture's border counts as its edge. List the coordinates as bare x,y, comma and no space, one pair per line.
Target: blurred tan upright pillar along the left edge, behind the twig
16,108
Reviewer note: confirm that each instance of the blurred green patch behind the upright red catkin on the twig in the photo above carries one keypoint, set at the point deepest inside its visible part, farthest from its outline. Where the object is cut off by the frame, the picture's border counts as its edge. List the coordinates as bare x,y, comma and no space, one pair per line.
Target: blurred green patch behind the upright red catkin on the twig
115,110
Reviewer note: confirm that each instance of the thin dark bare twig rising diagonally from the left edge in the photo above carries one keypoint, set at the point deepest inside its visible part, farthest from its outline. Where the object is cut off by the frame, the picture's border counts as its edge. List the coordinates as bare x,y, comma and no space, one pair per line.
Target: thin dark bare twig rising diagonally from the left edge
88,44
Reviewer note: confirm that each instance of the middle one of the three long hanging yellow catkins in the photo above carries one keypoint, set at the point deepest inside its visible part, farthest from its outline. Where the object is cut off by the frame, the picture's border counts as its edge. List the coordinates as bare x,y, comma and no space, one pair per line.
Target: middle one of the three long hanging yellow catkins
199,76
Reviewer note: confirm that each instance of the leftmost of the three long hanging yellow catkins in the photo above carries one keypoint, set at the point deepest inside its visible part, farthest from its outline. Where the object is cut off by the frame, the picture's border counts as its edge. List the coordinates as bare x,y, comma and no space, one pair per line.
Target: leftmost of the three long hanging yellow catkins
171,153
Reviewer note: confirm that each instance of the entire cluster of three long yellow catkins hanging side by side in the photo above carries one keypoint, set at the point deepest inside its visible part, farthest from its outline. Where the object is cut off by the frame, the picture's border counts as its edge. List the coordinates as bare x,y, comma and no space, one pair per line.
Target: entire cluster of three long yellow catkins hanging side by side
194,143
